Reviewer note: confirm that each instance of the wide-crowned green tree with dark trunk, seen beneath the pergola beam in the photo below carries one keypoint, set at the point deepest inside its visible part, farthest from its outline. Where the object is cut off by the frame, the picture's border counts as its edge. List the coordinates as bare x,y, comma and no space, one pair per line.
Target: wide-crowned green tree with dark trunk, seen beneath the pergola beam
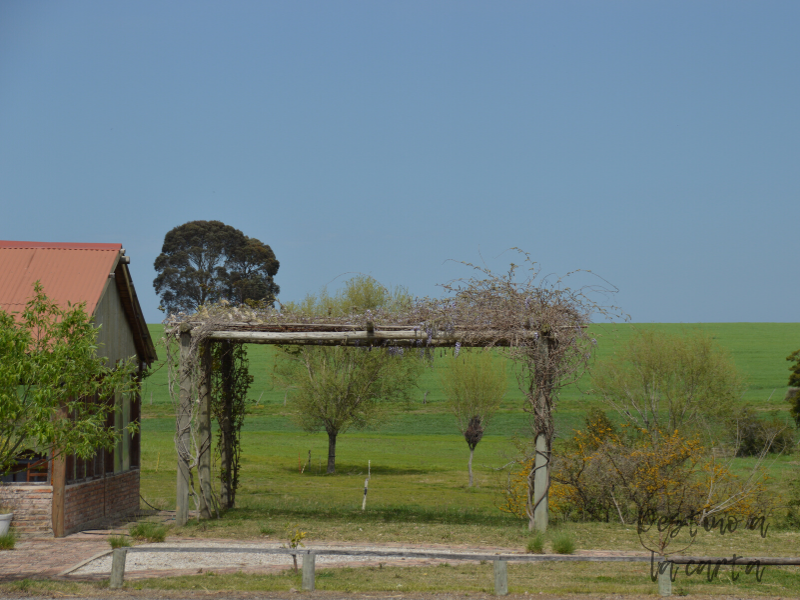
335,389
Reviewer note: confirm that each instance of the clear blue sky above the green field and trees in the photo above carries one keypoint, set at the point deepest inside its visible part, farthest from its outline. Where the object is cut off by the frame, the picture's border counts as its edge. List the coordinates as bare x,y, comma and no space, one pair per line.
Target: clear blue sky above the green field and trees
654,143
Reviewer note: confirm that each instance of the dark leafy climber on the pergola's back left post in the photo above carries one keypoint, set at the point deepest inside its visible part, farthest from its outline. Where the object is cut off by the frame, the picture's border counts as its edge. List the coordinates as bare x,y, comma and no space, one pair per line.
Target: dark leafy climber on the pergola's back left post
230,382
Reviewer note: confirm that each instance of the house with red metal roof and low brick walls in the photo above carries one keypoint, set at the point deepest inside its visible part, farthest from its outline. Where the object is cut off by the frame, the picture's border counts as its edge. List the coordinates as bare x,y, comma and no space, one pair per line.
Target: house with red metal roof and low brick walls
62,495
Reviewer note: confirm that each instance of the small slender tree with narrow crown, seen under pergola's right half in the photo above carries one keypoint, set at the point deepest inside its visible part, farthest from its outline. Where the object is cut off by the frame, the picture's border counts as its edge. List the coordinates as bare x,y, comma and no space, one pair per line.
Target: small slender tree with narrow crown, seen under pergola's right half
474,385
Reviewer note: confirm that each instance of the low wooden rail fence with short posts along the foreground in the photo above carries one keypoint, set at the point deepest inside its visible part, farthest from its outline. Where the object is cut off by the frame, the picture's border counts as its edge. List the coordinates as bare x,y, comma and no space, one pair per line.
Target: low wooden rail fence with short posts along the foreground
499,561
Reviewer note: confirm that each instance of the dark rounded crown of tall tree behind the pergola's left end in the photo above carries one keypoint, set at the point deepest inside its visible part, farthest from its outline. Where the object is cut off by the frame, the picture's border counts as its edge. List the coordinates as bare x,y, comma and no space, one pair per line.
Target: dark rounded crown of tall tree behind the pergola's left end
207,261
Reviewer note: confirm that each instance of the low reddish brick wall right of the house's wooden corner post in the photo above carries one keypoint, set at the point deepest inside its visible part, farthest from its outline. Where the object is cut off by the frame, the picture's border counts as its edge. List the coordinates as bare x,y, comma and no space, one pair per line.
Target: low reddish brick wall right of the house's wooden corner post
93,503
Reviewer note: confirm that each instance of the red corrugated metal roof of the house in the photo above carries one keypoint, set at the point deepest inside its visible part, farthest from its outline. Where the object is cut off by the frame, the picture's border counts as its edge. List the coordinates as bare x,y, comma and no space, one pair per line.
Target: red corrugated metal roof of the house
68,272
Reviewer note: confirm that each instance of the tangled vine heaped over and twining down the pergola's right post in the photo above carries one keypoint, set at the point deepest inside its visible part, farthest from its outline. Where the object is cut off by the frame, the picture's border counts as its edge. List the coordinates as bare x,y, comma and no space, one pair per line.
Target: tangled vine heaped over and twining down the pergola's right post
545,326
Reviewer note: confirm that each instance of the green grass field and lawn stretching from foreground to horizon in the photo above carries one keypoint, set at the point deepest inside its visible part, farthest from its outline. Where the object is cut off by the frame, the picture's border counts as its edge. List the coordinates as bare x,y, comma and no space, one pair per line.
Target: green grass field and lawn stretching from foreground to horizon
418,491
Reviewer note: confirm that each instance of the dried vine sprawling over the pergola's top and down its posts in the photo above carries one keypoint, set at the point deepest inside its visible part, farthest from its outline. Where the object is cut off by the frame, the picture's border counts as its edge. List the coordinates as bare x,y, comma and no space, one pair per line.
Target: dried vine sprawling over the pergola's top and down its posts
542,325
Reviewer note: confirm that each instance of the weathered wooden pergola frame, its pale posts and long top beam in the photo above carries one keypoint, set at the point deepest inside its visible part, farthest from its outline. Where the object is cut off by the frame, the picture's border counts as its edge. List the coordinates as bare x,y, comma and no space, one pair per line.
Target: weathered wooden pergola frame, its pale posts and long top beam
368,335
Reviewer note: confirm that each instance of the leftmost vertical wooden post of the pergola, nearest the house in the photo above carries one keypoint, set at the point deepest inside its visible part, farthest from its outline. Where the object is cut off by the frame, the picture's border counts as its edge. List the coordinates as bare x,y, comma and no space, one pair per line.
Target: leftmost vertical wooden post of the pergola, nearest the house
182,431
